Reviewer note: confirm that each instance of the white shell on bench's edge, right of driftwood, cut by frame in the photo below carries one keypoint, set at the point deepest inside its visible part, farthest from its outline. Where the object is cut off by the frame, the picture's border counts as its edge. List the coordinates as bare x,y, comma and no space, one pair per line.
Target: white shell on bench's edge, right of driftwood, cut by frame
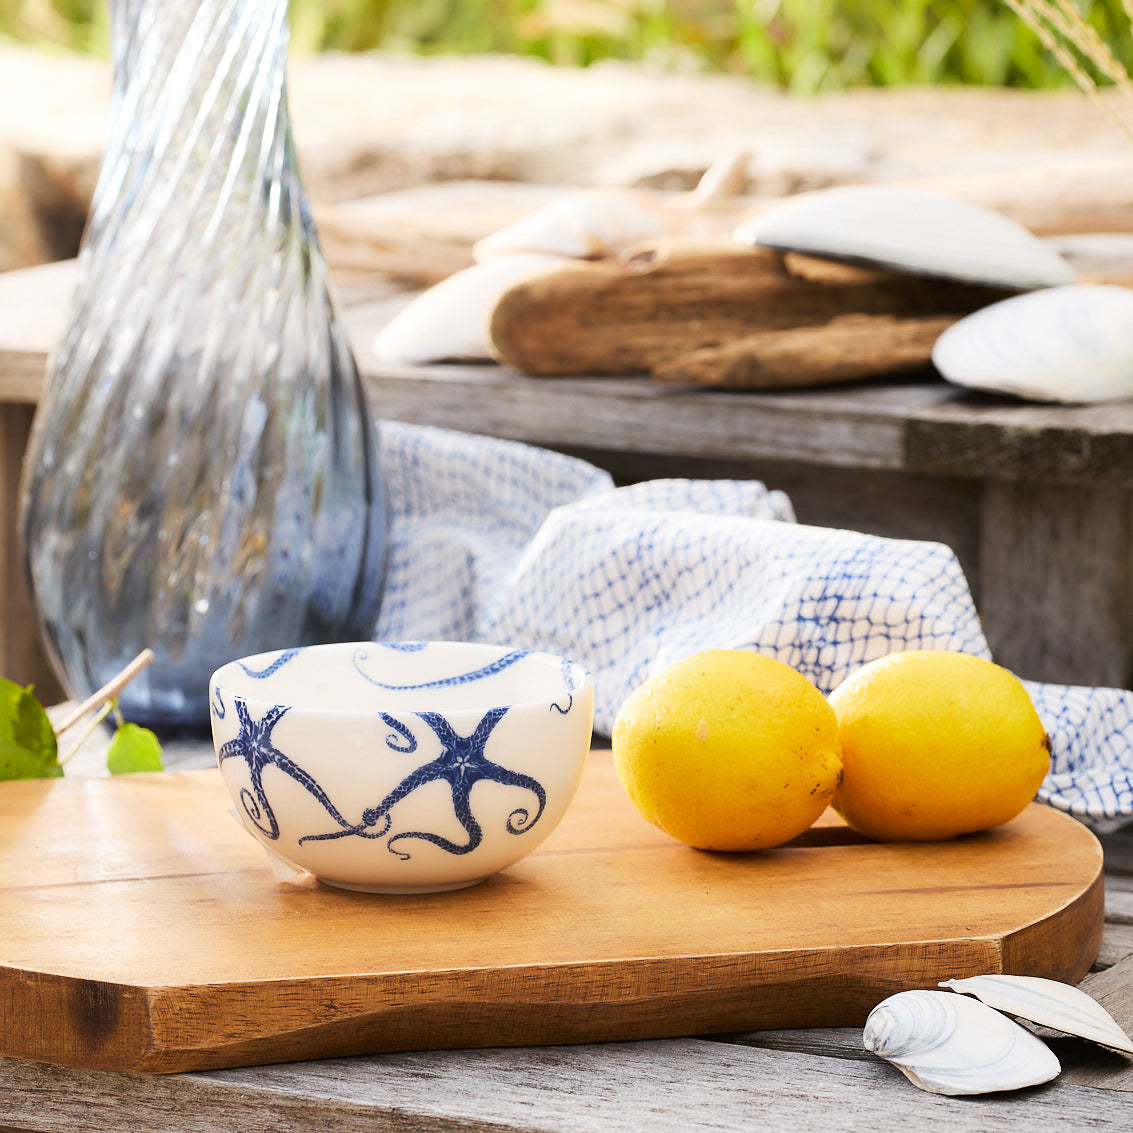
1067,345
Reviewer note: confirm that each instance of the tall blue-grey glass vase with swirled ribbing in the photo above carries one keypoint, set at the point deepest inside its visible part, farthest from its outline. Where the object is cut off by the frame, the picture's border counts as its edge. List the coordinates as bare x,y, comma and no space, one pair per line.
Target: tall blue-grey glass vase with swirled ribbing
203,476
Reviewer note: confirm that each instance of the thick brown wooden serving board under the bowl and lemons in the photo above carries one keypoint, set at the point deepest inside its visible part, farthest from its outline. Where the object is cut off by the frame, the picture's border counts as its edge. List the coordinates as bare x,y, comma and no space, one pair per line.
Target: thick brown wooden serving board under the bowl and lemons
143,930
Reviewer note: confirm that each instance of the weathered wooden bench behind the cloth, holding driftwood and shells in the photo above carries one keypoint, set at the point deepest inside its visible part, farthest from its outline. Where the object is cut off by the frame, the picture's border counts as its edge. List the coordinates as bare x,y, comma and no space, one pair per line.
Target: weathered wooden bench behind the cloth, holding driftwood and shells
1037,501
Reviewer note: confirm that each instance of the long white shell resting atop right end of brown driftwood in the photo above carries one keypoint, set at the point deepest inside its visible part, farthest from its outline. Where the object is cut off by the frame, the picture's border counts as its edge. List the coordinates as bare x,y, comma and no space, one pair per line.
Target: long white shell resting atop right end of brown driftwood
911,231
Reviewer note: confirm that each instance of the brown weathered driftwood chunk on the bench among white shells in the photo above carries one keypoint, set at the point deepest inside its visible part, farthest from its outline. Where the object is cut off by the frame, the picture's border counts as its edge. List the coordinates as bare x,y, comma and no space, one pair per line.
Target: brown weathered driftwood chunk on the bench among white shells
726,316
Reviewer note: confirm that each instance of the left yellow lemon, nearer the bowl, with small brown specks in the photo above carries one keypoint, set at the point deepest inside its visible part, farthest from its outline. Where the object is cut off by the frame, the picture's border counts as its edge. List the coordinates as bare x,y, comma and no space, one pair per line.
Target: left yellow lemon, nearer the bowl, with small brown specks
728,751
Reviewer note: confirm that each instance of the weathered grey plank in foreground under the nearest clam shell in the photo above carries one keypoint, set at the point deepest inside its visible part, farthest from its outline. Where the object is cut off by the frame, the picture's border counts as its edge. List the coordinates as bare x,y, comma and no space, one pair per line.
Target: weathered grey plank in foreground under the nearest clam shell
684,1085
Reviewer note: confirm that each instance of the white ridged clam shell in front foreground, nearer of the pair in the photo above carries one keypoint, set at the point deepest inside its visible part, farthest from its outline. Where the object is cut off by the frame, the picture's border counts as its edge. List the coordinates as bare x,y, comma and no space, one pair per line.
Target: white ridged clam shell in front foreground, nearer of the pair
949,1044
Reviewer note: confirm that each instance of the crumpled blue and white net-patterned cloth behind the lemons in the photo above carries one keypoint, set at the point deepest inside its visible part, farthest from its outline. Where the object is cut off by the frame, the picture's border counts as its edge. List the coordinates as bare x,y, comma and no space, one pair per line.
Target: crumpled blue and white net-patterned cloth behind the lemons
495,541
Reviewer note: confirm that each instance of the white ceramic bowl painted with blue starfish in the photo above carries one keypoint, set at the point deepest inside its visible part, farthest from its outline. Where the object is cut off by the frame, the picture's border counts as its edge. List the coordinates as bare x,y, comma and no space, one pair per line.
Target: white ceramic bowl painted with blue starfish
402,768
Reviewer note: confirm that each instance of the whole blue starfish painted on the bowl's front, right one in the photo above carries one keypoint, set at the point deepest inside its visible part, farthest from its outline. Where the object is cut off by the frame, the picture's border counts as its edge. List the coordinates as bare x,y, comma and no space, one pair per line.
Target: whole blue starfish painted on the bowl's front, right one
462,764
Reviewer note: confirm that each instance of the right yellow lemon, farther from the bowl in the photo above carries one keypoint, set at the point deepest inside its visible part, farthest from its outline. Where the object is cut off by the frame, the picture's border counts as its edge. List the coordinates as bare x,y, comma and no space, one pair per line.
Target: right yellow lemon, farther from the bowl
936,744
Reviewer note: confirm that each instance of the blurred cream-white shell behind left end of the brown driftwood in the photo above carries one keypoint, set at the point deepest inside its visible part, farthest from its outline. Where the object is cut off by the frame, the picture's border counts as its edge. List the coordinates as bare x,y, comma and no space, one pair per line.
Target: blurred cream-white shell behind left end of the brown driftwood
584,226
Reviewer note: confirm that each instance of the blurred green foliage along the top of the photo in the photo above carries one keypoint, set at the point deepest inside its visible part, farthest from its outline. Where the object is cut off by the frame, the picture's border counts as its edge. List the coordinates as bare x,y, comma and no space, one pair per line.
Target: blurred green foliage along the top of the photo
800,46
